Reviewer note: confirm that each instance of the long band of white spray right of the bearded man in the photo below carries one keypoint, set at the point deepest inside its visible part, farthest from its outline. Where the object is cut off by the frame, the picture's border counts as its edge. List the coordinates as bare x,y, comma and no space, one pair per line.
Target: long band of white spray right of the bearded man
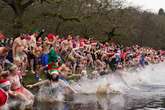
124,81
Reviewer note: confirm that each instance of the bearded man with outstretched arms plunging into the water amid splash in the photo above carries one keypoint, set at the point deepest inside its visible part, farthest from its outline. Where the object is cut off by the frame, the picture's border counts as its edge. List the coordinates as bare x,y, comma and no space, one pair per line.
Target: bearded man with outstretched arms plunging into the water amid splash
54,88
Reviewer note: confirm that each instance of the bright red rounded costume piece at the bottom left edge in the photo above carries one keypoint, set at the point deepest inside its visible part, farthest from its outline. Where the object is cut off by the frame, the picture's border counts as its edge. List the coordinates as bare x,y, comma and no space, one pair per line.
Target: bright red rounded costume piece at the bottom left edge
3,97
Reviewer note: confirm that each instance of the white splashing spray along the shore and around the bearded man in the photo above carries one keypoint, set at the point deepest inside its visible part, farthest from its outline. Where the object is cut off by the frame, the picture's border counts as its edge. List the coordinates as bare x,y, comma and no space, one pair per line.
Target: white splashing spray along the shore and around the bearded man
120,81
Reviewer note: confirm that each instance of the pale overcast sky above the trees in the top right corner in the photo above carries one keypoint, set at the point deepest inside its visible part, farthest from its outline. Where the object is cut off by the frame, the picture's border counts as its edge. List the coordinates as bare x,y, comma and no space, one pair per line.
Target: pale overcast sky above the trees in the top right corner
151,5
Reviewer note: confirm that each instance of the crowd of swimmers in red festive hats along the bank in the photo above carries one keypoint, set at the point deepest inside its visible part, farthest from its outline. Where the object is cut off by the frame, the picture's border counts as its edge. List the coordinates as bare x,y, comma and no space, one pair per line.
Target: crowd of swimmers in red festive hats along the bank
59,58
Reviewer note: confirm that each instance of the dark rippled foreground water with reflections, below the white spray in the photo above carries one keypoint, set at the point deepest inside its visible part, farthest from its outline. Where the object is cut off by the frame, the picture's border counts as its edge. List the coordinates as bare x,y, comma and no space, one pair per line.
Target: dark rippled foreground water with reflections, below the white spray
105,102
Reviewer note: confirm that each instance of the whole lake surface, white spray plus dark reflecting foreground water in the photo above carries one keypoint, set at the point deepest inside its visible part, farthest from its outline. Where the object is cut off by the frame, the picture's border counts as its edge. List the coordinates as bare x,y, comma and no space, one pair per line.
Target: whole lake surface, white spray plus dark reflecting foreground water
140,89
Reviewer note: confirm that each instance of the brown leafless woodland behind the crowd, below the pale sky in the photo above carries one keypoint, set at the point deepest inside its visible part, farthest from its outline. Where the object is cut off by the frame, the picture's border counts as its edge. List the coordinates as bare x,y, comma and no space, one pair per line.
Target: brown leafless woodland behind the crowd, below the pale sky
98,19
